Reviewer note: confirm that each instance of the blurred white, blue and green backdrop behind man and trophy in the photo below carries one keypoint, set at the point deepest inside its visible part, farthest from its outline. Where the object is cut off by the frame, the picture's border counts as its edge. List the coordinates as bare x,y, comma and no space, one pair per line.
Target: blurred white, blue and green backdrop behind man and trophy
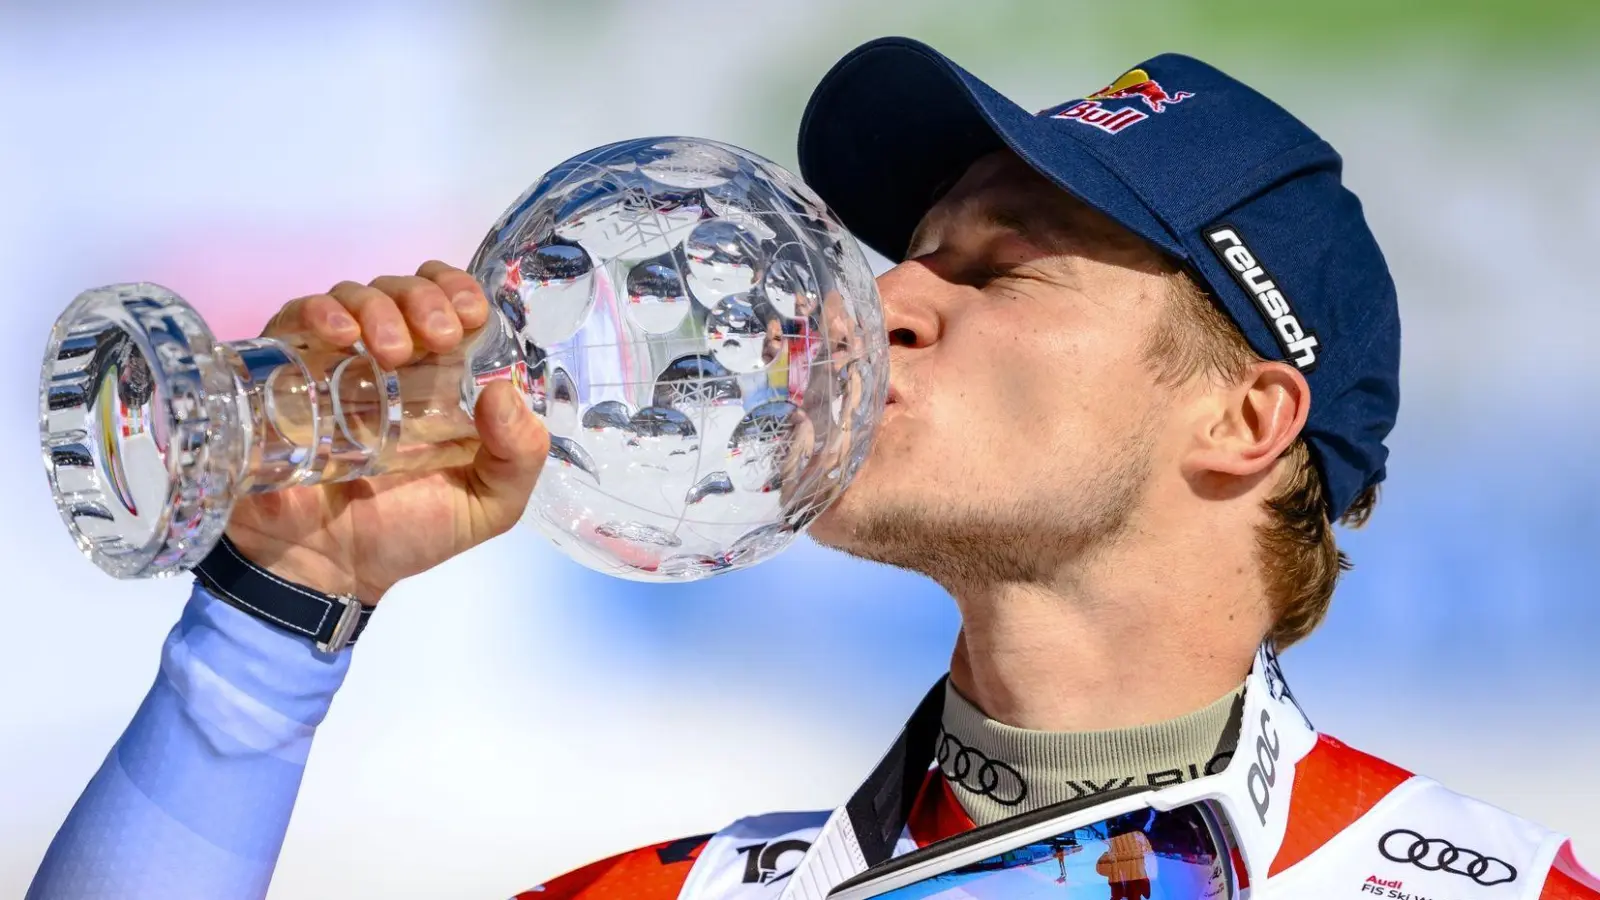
511,715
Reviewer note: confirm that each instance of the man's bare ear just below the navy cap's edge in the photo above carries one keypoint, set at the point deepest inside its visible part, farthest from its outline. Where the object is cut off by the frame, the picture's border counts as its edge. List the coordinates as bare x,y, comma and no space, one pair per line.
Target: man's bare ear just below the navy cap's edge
1247,427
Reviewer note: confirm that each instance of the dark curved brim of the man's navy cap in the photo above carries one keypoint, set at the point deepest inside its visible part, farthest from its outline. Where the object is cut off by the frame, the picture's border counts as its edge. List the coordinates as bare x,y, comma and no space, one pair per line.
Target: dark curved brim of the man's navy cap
895,124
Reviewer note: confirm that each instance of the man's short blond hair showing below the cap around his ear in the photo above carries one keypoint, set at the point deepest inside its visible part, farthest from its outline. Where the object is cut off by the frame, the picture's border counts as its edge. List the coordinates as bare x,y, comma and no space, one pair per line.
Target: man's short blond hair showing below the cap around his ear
1300,560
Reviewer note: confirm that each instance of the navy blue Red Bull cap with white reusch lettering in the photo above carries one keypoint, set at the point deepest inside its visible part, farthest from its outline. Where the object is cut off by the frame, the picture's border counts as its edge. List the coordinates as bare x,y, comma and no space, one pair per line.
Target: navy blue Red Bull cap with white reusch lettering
1198,164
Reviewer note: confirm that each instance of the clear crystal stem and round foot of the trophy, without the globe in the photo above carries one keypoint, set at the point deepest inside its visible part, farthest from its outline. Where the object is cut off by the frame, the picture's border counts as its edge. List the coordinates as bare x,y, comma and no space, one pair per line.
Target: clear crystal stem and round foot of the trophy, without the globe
151,428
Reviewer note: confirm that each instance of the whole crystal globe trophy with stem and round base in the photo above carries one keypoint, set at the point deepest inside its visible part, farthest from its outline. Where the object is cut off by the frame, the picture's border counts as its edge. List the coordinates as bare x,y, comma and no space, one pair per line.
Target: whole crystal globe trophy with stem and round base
700,335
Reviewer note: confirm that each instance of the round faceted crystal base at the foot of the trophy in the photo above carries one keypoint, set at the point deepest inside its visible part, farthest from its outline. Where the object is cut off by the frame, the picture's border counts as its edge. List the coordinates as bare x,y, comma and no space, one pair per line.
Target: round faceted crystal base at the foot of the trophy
142,430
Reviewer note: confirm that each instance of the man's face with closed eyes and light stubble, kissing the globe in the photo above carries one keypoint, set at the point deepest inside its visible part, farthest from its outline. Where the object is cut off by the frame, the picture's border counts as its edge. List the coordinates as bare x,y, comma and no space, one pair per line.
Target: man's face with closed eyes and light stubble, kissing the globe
1023,419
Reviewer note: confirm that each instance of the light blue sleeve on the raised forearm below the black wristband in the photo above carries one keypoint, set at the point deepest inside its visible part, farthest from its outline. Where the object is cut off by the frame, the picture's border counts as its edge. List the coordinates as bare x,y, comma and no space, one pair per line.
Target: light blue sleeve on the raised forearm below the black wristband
196,797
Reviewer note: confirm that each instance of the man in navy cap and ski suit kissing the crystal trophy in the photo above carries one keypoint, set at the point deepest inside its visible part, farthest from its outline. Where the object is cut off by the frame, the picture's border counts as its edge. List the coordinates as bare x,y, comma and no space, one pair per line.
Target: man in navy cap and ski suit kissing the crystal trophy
1145,353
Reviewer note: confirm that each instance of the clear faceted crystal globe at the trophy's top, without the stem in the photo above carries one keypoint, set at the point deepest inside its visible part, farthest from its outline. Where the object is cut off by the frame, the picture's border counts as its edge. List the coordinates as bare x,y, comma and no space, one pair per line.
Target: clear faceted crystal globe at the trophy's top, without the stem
706,348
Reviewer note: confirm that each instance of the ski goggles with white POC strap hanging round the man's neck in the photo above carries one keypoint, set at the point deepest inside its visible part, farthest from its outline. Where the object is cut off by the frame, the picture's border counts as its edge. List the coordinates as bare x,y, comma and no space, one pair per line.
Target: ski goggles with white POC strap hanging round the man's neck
1204,840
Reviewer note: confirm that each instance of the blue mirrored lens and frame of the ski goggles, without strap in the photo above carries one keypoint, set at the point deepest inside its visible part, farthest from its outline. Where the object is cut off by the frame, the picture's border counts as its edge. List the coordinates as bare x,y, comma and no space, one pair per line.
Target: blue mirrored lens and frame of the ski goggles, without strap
1122,848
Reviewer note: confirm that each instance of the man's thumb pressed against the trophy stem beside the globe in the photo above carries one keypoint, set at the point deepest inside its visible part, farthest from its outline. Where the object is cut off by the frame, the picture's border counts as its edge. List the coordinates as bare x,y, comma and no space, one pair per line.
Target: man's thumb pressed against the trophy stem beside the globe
511,456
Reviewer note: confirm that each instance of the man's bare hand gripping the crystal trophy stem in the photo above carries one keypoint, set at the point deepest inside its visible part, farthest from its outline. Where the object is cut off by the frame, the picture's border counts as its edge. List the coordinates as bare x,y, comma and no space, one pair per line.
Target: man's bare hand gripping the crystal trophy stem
366,536
